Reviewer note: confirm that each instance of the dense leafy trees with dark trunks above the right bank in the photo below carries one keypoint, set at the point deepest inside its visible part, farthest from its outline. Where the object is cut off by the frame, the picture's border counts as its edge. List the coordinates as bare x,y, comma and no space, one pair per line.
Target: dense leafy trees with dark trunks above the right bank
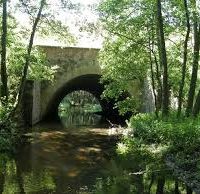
133,51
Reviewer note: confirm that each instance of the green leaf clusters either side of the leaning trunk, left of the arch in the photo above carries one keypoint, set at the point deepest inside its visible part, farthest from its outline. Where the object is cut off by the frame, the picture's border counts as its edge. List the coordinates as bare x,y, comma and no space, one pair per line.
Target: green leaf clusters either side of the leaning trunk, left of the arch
39,68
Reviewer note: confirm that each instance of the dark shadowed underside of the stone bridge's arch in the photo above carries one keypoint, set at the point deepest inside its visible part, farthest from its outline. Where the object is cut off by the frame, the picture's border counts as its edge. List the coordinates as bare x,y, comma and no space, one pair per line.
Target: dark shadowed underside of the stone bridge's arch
88,83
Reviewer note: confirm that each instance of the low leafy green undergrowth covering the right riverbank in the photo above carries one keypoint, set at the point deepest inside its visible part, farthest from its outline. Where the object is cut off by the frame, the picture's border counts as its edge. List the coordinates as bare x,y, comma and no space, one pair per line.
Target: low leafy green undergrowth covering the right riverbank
172,141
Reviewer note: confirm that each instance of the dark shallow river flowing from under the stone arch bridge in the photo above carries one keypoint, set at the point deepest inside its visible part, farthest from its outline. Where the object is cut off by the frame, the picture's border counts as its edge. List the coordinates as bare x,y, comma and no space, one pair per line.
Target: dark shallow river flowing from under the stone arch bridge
77,156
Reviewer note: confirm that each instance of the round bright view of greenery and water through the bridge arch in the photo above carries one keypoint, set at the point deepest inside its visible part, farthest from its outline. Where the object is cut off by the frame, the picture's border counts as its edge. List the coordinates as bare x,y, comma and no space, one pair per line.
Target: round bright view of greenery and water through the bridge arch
77,108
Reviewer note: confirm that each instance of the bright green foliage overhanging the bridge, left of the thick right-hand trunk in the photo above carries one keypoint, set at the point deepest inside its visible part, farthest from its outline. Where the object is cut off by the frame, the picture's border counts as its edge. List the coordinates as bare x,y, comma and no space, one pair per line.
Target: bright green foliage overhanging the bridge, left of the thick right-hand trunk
124,58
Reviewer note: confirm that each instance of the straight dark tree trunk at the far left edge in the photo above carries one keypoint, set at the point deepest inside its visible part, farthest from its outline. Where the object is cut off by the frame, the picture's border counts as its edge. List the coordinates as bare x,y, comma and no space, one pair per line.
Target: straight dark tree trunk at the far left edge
4,77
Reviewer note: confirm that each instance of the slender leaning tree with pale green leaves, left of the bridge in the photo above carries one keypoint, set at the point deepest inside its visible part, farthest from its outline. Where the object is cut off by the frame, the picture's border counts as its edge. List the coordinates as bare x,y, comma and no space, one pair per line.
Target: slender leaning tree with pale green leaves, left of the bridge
44,20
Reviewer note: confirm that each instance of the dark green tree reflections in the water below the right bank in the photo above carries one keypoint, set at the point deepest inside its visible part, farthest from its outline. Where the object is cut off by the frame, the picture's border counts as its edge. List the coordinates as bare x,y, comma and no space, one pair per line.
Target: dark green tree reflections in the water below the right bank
120,180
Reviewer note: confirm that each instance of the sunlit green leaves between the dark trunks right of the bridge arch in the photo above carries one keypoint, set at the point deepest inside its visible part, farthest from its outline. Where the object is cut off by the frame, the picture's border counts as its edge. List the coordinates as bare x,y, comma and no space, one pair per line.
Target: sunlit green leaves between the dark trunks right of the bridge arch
131,46
